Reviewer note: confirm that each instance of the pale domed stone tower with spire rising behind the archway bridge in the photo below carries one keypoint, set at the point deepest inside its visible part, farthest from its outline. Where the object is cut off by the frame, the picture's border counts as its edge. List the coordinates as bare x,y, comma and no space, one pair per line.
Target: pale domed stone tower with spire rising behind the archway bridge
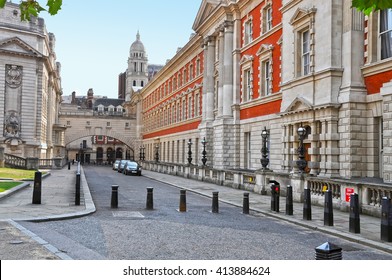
137,72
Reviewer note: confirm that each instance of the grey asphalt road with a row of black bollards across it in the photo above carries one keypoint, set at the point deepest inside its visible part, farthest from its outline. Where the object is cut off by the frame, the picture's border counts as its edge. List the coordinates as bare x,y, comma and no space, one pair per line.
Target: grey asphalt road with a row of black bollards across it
131,232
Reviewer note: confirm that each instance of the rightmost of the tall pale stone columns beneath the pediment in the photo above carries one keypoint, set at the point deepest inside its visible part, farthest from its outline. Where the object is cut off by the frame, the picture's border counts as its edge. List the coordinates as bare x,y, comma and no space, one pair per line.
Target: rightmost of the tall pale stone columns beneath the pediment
228,69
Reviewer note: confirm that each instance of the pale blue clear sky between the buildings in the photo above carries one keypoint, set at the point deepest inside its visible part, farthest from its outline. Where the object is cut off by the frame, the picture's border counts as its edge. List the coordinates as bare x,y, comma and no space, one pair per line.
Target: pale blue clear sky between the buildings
93,38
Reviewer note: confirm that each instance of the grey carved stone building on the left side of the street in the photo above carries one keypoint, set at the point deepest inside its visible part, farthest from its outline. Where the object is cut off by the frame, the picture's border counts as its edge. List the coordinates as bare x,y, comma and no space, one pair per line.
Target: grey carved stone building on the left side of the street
30,88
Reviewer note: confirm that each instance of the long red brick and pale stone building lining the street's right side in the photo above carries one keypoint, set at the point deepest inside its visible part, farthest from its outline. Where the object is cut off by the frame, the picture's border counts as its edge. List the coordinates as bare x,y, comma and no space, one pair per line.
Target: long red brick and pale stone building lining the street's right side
281,66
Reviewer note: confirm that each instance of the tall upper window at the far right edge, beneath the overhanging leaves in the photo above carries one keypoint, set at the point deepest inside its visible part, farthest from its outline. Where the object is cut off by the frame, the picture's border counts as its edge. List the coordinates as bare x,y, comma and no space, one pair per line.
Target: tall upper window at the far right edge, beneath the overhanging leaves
386,33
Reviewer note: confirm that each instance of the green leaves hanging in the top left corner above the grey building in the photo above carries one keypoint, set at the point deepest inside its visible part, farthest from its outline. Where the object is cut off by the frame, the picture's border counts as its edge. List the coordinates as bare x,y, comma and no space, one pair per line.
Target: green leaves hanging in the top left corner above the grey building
30,8
